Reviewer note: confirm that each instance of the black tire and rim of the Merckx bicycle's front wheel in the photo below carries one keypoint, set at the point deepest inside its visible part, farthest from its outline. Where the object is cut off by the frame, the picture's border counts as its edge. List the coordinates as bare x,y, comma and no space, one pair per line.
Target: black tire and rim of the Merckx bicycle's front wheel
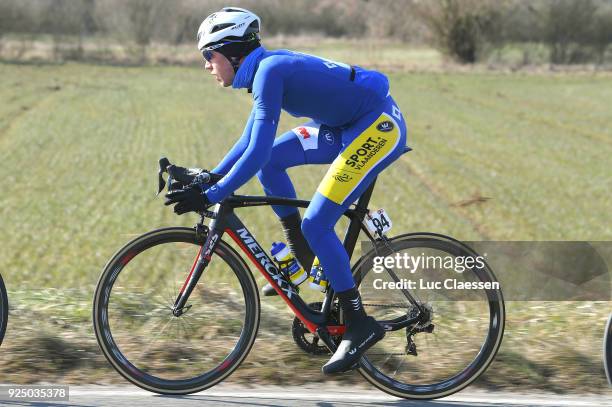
247,333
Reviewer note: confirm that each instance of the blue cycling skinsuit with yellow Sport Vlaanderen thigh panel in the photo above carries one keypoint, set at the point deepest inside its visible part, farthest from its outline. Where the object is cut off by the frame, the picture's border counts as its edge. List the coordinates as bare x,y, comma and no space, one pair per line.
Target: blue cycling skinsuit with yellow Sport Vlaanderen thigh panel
355,126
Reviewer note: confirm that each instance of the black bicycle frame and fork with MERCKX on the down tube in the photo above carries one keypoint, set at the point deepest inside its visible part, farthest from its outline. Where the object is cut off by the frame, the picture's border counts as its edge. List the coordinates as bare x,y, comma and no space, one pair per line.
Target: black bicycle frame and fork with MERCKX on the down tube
226,221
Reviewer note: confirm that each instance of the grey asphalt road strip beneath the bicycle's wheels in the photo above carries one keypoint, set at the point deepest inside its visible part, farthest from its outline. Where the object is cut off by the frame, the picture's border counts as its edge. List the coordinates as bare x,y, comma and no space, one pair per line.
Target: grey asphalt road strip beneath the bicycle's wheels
229,395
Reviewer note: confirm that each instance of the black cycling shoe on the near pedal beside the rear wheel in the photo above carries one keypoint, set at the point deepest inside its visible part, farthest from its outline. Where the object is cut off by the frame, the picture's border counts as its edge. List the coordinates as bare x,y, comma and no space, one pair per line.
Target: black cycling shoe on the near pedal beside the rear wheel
358,338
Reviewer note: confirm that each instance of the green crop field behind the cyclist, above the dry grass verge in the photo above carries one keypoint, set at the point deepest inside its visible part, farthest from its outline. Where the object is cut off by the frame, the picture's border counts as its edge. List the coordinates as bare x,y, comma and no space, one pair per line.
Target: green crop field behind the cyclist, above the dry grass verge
80,144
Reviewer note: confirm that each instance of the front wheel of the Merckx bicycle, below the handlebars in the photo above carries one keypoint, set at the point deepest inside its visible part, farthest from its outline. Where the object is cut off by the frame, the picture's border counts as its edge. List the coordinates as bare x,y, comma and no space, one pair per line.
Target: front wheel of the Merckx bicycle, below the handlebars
142,338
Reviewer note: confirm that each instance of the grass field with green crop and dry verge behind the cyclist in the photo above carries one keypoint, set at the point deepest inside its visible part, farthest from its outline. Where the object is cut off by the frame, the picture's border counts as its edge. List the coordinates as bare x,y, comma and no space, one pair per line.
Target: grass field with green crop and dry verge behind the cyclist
79,146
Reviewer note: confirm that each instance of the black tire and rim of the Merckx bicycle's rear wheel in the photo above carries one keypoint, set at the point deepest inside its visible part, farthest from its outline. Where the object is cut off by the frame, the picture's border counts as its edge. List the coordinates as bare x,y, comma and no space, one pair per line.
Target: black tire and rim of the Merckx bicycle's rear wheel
483,358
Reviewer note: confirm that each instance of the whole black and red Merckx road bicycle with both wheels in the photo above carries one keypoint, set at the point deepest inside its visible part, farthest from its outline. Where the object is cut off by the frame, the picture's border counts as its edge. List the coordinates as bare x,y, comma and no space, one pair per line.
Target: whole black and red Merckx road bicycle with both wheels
177,310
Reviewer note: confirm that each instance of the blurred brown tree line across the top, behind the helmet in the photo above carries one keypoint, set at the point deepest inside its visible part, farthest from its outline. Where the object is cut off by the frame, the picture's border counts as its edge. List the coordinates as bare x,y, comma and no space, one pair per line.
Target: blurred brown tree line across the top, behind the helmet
573,31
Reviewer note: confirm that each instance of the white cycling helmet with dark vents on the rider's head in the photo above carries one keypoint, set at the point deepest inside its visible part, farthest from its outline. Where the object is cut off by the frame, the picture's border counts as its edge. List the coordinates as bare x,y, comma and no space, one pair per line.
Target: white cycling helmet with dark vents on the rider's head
229,22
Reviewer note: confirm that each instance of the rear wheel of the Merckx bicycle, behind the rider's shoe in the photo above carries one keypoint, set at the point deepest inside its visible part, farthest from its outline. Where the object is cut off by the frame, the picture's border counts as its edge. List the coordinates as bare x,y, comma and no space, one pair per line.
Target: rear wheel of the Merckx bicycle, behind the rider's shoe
458,332
